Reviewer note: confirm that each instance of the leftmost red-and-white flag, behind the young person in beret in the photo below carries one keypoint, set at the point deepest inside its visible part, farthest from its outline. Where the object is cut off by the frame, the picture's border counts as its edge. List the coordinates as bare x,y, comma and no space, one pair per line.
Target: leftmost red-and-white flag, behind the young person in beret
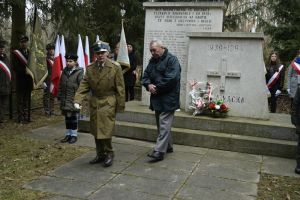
56,69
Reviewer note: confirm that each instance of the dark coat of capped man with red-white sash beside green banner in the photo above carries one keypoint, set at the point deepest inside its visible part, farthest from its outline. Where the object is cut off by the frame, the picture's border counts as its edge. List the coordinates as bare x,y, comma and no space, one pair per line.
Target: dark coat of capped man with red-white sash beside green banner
24,81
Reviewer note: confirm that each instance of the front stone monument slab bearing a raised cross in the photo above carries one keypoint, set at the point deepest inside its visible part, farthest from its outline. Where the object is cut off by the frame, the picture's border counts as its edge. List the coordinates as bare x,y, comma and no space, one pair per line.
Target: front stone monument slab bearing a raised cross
233,63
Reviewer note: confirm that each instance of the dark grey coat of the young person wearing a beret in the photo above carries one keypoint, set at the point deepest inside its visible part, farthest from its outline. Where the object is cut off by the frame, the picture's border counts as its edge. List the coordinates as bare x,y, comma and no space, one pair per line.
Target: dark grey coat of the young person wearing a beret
68,86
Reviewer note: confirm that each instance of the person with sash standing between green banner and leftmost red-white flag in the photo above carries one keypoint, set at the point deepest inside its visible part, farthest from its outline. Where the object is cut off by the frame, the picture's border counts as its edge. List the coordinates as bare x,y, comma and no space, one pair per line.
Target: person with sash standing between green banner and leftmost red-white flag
48,98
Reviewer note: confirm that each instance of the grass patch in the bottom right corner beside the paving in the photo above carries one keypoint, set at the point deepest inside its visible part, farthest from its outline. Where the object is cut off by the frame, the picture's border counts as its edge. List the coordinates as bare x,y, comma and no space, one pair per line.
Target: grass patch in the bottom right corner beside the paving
272,187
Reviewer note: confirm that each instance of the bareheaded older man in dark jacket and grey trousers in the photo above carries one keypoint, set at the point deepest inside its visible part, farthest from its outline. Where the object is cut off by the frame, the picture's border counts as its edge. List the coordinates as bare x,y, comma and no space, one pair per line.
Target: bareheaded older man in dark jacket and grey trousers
162,79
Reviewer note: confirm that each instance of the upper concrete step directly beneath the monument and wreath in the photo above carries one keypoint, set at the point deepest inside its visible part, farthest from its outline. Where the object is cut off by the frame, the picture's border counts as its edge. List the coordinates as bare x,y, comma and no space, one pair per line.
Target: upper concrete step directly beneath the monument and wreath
278,127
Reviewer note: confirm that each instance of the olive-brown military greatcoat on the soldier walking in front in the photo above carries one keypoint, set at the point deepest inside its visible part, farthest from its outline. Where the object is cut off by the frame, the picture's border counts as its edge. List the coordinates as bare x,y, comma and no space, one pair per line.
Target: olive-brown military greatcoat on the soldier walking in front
106,85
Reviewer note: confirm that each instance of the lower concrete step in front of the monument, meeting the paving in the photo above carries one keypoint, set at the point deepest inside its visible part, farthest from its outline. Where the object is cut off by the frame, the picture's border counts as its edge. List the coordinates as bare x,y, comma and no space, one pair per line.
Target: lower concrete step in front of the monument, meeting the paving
209,139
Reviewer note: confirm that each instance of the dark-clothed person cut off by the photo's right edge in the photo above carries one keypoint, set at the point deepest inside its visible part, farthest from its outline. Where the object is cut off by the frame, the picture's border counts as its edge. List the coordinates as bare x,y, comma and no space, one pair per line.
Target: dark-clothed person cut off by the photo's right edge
295,118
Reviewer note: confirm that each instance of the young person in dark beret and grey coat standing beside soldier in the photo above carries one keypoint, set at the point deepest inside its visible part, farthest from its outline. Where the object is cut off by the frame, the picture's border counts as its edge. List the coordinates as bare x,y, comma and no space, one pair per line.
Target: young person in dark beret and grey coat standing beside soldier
68,85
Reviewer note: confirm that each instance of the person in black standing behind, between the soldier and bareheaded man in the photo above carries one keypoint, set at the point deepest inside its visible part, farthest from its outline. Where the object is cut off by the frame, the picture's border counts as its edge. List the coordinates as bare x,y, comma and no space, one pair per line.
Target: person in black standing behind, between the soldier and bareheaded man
130,75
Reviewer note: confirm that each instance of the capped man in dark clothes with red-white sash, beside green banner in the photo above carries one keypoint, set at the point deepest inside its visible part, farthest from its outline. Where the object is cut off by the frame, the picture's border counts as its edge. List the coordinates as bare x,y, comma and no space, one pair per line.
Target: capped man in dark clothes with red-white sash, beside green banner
24,82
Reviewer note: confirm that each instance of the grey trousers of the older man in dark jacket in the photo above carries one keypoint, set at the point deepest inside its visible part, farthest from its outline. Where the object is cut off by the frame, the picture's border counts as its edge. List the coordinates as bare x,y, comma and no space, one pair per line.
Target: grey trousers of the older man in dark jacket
164,122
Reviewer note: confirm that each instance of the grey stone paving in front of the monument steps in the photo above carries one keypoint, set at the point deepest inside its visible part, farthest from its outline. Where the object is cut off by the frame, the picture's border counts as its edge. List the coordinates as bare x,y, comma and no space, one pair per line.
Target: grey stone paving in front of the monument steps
188,173
